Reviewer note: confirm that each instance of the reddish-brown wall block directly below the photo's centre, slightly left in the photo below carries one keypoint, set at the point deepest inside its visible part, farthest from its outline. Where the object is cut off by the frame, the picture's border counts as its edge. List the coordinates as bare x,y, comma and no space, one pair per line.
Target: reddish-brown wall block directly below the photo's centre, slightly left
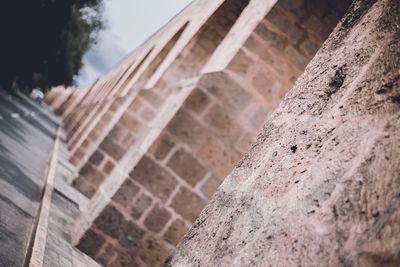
187,167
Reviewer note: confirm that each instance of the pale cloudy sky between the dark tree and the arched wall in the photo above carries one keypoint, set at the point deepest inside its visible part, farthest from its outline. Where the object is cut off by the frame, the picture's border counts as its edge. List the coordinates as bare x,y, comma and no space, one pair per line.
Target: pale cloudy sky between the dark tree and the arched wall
128,24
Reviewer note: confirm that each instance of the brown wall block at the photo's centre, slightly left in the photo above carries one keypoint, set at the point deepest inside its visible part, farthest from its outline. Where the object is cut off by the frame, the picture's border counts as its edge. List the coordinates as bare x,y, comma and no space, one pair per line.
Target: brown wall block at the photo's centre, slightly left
186,128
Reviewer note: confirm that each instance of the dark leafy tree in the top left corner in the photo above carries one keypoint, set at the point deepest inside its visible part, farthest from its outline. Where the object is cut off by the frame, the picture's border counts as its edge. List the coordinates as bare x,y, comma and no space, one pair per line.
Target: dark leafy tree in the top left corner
43,41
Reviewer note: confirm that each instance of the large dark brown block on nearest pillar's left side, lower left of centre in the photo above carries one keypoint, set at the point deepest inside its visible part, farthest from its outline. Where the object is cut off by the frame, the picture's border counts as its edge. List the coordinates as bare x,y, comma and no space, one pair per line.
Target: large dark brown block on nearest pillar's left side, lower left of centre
154,178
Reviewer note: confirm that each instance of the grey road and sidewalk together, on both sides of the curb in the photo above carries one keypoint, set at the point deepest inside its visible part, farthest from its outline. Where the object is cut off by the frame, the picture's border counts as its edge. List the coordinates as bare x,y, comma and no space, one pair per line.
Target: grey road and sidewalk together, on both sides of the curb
27,135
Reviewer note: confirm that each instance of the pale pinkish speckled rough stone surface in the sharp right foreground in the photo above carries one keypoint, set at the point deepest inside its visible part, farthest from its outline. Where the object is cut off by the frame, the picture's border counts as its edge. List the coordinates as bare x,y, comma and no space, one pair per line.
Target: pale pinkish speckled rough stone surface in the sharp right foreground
321,186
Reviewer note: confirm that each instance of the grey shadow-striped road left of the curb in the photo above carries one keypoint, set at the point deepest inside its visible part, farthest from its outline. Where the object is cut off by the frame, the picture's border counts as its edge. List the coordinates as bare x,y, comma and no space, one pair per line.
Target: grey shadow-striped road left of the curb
27,134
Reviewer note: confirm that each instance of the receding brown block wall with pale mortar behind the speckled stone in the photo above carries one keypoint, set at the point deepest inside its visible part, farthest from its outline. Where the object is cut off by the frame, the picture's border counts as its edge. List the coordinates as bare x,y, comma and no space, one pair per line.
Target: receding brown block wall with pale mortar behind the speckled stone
155,157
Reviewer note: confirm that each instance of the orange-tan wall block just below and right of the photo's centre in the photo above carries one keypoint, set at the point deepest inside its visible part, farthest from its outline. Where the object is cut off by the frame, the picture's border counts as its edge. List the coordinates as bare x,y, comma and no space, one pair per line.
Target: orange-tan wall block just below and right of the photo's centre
218,156
